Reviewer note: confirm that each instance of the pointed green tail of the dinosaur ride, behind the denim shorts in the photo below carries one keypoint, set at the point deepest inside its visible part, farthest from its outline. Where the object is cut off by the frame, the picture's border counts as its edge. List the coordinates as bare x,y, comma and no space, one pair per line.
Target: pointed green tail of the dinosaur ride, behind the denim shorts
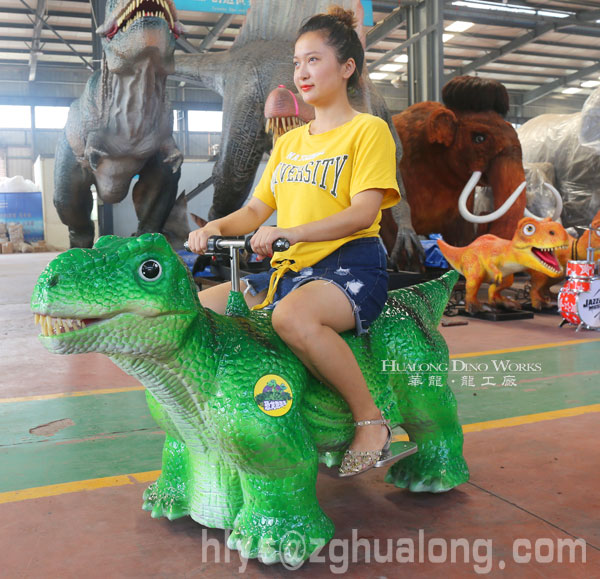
425,302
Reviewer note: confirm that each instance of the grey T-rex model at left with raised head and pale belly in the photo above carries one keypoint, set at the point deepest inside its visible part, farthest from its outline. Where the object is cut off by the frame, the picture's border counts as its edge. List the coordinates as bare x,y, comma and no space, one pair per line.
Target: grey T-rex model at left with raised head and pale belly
122,124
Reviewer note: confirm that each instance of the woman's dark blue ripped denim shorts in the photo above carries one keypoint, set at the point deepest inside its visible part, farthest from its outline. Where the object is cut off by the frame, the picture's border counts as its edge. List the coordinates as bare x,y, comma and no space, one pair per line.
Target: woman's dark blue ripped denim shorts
358,268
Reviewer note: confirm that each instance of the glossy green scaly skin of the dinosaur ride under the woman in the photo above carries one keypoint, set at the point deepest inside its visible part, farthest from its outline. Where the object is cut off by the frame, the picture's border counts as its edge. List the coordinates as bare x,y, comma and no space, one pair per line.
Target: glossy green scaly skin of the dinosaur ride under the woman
226,463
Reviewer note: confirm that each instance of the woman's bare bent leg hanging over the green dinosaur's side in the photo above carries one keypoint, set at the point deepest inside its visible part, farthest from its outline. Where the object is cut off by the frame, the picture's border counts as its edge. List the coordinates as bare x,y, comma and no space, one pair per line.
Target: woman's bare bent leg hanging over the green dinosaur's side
309,320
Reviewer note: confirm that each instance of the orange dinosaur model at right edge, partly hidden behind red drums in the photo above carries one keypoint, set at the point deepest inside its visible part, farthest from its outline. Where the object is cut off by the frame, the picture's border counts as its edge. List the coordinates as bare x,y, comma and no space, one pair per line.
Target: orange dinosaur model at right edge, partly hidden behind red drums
577,250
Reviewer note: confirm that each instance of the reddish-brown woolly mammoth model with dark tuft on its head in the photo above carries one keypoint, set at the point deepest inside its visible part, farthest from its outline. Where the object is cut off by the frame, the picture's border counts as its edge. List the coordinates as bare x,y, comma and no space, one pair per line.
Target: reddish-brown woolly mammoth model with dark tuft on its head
445,146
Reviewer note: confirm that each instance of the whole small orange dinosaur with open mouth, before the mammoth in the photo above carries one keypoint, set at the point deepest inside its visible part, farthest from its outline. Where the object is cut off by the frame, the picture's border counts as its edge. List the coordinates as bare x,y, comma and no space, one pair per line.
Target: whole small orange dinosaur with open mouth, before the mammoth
495,260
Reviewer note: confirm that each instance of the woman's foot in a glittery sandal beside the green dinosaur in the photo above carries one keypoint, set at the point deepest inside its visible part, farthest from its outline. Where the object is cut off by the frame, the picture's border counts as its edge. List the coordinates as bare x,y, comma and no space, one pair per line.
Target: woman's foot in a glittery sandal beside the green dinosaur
371,440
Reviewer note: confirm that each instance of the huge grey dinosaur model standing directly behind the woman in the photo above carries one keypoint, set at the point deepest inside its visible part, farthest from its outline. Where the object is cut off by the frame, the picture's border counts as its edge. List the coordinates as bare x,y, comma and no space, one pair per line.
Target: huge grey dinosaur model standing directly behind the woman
259,61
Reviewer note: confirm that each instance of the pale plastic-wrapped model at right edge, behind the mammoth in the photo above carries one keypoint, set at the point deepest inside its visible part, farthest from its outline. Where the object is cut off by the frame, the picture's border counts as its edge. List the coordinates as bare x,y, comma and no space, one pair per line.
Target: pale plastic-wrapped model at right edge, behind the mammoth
571,144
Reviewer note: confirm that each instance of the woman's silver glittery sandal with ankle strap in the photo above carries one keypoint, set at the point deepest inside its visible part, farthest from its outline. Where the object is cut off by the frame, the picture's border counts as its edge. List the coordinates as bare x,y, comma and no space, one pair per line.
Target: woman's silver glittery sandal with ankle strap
359,461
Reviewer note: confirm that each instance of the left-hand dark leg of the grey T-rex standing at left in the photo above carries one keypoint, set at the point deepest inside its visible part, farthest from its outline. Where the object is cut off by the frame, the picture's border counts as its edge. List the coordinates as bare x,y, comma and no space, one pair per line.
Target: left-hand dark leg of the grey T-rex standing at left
72,195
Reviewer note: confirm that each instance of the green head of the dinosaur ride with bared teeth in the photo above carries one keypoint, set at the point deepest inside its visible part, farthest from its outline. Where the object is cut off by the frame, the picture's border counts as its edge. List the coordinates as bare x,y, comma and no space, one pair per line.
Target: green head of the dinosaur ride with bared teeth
125,296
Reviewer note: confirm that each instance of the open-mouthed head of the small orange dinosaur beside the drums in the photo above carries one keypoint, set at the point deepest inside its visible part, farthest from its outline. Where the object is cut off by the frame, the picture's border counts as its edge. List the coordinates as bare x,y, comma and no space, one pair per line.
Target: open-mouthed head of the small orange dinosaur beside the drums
537,241
